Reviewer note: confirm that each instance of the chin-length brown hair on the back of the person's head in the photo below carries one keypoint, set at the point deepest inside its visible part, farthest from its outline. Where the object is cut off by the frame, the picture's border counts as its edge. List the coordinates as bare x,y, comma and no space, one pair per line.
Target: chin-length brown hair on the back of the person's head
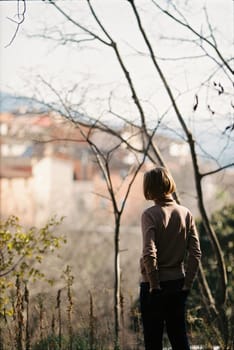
158,183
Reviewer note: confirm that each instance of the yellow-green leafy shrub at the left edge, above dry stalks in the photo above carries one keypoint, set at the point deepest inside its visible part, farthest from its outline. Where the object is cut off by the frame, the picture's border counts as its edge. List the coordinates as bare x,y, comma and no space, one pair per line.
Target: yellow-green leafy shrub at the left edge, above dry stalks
22,251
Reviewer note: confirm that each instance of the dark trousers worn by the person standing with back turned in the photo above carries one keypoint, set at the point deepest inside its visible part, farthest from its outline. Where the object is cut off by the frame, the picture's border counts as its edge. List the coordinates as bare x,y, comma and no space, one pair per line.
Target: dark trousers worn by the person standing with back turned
164,307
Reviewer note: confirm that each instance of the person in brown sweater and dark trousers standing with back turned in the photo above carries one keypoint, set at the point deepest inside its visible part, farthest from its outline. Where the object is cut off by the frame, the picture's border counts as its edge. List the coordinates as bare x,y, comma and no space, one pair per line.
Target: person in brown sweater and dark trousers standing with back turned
169,234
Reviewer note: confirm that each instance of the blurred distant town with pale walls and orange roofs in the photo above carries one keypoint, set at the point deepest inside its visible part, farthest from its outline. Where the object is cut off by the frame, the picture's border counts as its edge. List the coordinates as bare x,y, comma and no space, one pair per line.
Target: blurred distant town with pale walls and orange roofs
47,168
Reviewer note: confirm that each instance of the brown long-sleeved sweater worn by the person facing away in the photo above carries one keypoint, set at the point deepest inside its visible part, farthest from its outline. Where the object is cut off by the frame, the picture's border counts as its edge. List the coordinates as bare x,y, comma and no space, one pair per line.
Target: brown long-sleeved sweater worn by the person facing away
169,239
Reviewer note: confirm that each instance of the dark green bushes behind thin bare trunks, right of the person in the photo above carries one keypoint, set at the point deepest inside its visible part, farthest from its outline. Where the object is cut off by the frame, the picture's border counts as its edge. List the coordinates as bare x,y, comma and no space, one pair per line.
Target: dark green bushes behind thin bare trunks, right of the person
200,324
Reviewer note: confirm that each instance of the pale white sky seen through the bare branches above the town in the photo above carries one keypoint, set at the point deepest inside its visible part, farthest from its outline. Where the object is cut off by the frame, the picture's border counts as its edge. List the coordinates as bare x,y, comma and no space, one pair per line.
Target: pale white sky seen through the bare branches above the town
94,70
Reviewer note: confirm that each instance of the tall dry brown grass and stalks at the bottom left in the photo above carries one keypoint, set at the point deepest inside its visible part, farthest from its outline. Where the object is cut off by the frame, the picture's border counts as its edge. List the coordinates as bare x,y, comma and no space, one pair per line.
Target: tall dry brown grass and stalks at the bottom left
54,322
